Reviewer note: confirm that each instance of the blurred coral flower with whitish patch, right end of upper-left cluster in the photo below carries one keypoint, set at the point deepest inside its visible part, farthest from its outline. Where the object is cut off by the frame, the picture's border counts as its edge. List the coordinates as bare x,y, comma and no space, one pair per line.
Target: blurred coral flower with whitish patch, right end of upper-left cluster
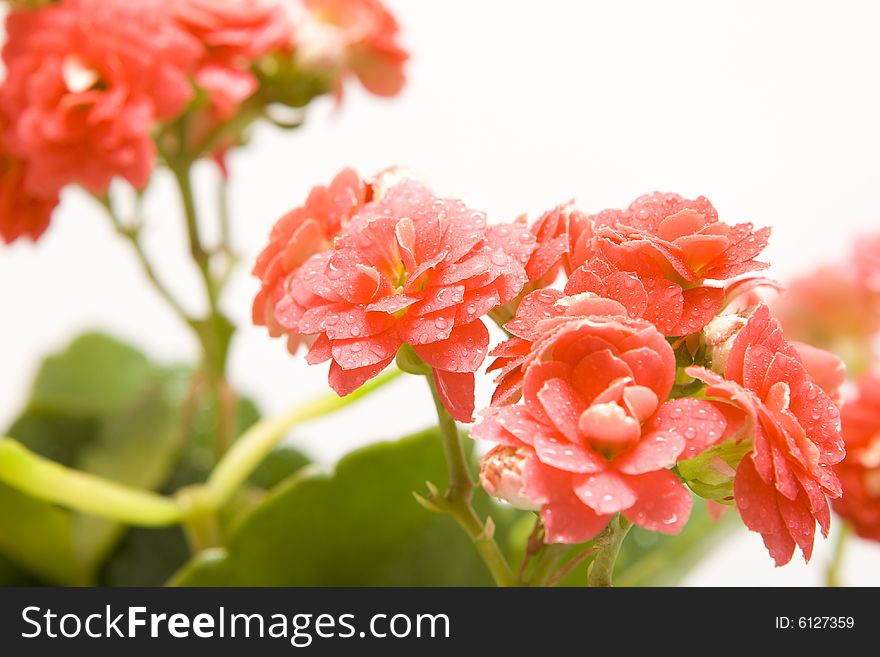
356,37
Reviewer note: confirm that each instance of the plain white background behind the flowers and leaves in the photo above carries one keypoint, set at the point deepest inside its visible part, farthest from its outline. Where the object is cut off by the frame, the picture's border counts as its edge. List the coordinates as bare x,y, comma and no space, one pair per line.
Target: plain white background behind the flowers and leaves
768,108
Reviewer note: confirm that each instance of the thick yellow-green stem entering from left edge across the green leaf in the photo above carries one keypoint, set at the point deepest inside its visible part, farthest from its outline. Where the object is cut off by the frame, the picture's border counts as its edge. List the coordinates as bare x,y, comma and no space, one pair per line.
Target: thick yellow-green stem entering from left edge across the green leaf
80,491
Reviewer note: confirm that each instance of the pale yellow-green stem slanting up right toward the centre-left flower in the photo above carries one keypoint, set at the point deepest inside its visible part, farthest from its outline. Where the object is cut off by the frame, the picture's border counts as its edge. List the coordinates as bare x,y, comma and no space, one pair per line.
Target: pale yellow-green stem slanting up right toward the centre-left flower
255,444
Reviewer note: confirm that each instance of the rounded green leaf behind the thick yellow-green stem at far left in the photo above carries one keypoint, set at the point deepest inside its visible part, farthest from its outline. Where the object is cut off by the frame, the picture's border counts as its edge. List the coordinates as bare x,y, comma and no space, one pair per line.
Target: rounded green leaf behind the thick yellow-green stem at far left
101,407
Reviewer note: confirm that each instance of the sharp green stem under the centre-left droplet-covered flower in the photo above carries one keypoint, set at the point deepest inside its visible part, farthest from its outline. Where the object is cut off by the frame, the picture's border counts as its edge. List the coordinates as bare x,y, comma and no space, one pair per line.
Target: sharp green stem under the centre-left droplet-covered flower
457,500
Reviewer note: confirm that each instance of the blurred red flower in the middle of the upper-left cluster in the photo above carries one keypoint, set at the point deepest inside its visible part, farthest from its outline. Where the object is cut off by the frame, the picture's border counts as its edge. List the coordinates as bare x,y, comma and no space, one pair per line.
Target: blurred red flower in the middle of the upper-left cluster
234,34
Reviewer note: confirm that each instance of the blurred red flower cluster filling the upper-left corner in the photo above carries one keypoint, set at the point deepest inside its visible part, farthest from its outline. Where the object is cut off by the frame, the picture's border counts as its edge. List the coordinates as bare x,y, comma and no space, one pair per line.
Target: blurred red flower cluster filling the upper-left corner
90,82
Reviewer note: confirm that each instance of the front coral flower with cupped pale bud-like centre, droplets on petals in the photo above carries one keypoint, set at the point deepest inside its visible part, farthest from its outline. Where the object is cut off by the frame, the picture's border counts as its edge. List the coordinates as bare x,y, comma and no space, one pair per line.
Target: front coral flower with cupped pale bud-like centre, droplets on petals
593,436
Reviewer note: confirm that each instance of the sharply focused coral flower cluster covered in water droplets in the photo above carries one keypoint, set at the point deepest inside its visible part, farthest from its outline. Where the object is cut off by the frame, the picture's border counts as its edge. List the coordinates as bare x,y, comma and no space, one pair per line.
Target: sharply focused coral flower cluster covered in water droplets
646,371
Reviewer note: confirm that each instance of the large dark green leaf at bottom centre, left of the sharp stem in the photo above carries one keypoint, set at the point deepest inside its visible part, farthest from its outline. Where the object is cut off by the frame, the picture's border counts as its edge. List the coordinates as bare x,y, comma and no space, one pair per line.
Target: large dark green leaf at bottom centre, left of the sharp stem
360,526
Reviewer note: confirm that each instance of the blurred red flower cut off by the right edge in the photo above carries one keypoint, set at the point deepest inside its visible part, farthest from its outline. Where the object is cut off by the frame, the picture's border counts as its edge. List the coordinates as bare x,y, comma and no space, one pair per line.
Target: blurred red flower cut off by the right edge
859,472
